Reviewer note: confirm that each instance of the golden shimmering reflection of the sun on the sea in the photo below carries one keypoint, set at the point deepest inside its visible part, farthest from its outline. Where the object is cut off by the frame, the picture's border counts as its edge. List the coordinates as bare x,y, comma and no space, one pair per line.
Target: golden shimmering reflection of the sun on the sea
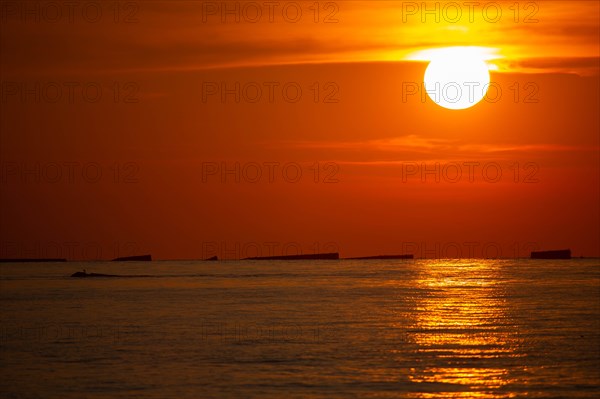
463,325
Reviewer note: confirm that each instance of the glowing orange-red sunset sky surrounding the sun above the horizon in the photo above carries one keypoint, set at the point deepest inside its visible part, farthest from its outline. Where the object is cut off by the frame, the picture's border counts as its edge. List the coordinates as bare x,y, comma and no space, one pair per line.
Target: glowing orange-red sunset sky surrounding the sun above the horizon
140,129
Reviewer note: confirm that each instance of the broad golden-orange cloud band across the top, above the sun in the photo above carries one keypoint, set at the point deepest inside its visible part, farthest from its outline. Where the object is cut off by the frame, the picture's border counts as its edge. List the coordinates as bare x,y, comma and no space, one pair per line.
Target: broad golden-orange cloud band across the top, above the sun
174,35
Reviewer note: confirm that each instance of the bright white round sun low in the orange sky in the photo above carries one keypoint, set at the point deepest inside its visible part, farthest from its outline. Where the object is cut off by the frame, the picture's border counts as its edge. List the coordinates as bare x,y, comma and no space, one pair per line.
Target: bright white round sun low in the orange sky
456,78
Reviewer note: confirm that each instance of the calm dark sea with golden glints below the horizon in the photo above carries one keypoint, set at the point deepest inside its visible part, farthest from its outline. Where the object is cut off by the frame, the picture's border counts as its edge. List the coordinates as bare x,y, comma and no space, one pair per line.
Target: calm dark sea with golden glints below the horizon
374,329
